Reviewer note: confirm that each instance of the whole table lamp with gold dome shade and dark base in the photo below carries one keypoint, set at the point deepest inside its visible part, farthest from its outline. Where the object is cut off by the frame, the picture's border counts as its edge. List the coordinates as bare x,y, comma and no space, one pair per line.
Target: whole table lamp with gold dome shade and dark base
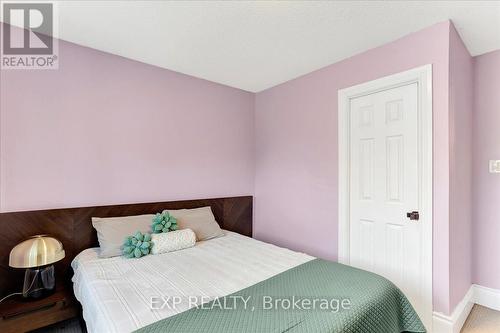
37,254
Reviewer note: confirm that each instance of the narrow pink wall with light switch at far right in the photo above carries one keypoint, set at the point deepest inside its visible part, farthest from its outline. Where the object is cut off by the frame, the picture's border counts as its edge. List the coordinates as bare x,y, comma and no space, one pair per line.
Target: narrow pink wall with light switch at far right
486,189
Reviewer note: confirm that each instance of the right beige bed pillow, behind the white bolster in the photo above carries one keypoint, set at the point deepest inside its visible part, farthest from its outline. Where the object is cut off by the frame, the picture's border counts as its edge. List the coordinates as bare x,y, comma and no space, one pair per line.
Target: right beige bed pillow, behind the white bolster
200,220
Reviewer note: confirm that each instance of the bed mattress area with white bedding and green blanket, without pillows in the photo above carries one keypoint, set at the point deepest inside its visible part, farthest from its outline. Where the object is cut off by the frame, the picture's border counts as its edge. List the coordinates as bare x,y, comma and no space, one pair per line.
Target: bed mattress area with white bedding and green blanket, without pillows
125,295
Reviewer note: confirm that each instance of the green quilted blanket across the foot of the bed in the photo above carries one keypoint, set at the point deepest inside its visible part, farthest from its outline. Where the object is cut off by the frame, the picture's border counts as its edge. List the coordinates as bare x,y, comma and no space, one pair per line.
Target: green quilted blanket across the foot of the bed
345,299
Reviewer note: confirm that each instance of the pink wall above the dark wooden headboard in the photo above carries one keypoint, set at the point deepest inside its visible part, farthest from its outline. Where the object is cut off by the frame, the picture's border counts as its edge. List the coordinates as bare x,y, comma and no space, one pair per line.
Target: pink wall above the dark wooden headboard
103,129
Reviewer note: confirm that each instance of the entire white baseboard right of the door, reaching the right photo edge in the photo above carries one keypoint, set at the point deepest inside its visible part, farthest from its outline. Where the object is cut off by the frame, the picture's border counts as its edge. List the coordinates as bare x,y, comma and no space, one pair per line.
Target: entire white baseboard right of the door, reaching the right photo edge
476,295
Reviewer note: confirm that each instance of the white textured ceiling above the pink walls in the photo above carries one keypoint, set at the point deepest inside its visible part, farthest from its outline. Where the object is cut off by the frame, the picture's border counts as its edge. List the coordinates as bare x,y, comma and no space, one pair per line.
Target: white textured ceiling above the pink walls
254,45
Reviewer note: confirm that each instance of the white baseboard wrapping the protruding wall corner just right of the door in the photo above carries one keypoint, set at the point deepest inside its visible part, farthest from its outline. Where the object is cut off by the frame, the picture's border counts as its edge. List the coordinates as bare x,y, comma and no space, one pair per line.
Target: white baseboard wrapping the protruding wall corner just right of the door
442,323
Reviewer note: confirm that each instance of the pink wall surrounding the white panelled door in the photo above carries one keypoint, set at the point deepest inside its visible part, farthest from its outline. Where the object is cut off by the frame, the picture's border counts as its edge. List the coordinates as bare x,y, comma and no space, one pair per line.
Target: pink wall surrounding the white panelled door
296,149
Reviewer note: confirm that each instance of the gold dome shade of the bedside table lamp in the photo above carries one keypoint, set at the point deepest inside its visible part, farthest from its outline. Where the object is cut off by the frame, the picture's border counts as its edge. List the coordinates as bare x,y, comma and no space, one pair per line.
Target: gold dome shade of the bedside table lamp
39,250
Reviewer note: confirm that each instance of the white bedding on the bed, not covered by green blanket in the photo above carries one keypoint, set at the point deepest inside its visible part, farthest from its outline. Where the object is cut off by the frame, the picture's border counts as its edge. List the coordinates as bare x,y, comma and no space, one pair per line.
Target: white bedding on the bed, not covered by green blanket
116,293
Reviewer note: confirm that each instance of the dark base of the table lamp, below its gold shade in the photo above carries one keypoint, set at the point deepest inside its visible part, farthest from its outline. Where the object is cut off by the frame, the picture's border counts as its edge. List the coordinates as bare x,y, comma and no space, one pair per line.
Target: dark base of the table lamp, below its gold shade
39,282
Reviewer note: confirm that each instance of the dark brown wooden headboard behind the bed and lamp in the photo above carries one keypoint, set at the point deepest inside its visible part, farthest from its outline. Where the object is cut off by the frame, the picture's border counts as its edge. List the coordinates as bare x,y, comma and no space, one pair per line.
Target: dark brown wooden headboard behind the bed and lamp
73,227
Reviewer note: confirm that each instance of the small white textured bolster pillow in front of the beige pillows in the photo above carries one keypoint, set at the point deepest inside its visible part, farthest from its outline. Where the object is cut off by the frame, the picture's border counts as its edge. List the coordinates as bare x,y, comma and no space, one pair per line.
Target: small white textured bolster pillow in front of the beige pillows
172,241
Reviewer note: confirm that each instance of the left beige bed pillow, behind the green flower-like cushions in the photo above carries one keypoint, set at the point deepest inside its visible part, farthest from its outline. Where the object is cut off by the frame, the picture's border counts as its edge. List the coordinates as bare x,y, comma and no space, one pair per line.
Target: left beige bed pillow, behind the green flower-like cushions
111,231
